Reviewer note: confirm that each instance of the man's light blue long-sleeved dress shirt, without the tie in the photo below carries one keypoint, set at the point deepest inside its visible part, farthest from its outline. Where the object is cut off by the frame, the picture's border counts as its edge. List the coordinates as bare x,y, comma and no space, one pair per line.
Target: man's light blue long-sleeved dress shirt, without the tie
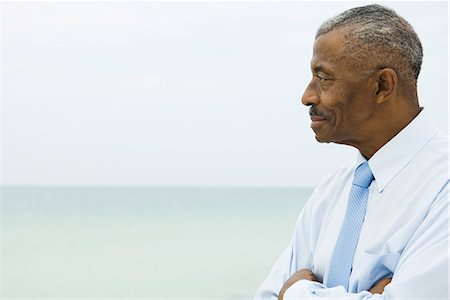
405,233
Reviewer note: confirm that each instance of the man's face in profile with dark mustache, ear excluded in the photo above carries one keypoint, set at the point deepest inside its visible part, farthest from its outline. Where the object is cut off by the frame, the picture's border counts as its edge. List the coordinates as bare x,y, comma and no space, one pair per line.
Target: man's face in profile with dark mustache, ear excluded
341,101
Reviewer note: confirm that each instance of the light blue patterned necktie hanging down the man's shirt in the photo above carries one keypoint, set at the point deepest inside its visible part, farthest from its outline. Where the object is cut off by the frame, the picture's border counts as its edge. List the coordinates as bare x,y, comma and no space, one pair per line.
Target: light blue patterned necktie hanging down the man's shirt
341,262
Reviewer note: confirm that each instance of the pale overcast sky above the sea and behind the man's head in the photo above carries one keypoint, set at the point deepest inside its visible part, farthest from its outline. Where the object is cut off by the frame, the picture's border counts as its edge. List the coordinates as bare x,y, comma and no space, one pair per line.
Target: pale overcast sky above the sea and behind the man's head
177,93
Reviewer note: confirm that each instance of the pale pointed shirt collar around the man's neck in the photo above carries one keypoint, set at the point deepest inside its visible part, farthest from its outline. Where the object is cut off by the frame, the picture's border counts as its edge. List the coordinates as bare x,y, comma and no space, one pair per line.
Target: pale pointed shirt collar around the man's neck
395,154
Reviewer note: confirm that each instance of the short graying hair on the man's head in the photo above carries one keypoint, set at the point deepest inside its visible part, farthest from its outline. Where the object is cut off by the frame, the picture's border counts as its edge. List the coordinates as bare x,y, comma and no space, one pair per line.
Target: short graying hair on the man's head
380,35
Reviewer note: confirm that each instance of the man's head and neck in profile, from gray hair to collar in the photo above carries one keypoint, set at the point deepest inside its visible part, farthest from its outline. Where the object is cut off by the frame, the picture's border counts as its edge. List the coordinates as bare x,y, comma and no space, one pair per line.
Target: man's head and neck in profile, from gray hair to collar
365,66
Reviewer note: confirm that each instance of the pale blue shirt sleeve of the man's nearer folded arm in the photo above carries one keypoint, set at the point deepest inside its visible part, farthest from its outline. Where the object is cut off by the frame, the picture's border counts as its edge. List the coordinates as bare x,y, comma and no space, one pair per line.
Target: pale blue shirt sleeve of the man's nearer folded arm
421,273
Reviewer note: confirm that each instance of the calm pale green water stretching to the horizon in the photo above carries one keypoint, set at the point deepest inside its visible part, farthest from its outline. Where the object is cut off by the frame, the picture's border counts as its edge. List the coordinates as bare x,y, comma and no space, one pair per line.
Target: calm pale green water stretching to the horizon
103,242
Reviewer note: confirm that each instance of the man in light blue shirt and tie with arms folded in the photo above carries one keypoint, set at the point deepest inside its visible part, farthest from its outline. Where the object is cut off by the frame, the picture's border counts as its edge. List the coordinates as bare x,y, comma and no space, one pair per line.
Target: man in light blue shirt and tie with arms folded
378,227
